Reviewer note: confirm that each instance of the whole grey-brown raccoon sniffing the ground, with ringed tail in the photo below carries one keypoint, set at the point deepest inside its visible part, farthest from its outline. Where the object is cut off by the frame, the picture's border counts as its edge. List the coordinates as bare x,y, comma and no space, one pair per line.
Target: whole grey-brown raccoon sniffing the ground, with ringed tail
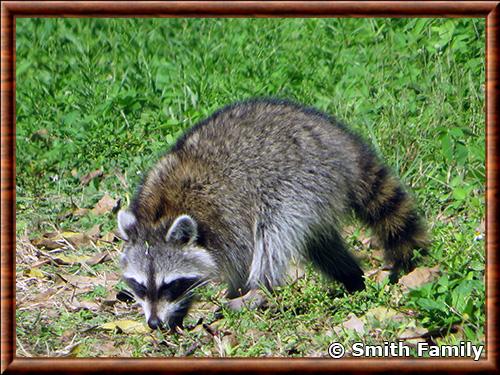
242,193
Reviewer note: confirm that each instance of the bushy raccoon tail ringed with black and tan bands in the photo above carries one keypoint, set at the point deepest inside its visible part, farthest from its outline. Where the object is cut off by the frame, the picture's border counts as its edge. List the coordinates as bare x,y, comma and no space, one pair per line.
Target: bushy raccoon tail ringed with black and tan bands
390,212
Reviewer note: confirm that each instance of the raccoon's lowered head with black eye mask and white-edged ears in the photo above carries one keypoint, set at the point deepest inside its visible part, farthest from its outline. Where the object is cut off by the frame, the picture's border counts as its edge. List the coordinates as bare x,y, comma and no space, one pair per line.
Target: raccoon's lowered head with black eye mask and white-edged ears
162,267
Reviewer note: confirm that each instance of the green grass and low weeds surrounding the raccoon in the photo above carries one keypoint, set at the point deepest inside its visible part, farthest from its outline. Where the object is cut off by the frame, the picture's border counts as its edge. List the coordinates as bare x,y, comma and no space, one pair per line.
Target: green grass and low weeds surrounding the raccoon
113,94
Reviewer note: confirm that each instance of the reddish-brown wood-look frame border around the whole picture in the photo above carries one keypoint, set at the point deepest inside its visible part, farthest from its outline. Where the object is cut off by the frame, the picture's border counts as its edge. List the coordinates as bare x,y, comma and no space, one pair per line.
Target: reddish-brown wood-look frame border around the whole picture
10,10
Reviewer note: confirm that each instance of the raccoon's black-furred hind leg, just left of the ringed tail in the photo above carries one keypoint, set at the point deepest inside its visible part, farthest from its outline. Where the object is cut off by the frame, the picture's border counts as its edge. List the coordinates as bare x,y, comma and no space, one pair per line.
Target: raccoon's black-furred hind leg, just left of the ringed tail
327,252
